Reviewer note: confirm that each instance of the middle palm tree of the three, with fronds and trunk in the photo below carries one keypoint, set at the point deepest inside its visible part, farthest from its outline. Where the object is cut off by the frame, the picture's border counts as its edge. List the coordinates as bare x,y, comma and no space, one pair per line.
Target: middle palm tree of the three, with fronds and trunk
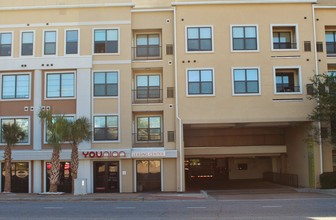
56,129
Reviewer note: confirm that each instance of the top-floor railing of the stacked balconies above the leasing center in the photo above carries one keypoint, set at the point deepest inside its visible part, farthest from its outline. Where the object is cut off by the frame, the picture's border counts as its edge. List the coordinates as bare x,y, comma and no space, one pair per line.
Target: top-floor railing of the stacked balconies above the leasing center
147,52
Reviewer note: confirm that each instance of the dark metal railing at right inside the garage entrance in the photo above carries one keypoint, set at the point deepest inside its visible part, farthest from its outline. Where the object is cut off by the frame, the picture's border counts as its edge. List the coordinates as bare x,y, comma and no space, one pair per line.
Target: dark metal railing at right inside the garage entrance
282,178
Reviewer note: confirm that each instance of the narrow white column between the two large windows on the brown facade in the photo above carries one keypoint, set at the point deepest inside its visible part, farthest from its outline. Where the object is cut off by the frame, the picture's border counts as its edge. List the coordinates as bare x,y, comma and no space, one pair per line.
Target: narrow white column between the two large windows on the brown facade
37,105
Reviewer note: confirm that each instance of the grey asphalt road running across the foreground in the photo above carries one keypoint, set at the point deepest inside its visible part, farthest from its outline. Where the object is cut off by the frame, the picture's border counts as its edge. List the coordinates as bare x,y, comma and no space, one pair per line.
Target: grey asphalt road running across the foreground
291,208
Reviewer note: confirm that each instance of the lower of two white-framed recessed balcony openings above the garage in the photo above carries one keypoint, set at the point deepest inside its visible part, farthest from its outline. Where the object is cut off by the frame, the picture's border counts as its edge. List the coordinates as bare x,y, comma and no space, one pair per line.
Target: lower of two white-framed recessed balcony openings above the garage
288,80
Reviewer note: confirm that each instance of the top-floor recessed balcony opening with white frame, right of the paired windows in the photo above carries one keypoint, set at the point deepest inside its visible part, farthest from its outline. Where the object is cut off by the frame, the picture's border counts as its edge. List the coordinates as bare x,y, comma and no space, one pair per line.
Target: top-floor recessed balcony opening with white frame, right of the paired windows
284,37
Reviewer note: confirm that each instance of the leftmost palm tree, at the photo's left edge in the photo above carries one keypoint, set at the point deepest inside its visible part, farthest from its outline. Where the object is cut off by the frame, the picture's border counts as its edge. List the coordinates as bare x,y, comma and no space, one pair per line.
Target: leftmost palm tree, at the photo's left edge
11,134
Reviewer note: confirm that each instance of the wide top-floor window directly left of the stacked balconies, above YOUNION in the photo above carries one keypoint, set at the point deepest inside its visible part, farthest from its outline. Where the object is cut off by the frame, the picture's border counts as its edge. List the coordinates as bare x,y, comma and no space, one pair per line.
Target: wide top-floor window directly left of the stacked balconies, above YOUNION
106,41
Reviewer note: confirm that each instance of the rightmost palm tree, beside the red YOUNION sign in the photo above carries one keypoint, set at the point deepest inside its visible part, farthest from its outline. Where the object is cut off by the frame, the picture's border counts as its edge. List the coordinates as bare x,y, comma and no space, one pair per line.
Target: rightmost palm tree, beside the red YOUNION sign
78,131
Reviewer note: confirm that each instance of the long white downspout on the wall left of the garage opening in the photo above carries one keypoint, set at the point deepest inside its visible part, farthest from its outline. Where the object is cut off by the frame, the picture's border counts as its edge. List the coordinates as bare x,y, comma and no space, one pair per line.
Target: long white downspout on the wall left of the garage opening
177,107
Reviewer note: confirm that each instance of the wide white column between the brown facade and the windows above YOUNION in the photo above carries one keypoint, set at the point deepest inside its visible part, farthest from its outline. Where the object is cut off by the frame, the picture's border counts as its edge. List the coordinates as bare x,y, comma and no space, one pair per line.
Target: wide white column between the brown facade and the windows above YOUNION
84,98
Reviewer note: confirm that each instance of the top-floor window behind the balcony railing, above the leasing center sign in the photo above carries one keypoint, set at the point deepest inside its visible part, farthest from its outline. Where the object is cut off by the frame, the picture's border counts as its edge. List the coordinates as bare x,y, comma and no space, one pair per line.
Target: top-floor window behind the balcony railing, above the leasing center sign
148,45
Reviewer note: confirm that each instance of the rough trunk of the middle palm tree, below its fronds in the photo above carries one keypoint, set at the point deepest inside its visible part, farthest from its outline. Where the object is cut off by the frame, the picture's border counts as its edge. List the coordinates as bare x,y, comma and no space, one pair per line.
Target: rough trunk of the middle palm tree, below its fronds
54,171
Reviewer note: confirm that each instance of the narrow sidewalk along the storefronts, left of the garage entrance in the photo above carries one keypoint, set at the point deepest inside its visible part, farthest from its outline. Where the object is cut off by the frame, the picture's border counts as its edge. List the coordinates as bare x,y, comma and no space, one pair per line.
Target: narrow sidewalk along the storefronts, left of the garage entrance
102,196
